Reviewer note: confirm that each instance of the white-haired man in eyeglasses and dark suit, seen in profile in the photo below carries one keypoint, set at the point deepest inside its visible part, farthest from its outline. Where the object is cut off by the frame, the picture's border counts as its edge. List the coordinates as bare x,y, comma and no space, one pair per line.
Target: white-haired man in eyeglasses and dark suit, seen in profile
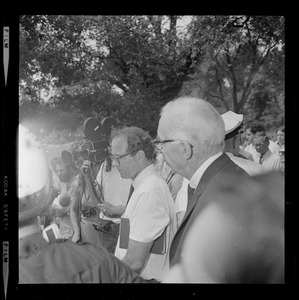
191,138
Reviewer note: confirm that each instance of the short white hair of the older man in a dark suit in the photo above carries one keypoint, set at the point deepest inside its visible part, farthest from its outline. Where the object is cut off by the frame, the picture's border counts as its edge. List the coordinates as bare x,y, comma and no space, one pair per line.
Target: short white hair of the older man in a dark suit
196,121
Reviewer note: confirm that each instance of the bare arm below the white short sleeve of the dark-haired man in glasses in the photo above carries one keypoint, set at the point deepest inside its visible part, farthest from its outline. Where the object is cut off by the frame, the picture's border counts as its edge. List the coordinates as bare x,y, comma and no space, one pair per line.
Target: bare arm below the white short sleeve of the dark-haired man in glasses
137,254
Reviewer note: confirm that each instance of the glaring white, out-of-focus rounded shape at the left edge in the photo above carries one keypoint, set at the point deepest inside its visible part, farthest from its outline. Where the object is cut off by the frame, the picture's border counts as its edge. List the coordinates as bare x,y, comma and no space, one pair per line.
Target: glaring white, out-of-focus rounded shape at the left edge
34,180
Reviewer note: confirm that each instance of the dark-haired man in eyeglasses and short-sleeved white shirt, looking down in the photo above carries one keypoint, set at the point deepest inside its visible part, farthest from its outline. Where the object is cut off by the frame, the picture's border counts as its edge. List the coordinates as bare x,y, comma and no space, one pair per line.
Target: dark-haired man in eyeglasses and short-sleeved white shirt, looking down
149,213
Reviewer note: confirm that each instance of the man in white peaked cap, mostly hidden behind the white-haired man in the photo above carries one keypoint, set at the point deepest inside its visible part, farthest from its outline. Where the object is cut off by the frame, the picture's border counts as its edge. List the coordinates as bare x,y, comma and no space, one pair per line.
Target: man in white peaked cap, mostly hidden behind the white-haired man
233,126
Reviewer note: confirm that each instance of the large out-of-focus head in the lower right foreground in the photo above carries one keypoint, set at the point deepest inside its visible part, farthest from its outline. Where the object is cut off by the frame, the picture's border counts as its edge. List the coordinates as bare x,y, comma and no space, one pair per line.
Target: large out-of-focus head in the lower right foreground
239,236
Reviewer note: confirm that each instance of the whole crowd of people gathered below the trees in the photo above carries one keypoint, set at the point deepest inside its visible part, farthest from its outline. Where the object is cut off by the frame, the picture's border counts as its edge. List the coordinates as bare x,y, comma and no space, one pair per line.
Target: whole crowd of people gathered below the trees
202,202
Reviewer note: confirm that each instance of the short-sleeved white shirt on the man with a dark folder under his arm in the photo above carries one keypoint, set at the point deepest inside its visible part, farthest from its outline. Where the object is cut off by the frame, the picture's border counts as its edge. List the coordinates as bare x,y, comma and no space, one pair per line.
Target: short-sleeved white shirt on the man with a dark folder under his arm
150,210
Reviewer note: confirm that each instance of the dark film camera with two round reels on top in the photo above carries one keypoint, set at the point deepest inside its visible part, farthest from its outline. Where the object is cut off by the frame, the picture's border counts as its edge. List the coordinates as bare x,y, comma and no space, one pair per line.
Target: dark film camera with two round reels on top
96,149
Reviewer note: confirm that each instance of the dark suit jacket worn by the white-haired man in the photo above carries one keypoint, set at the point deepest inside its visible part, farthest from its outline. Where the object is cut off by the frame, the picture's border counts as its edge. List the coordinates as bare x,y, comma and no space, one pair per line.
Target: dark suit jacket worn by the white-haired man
220,168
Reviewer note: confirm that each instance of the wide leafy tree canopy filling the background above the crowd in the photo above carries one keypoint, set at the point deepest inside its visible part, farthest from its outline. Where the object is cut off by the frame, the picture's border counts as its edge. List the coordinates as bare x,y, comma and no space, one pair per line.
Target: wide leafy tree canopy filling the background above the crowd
127,67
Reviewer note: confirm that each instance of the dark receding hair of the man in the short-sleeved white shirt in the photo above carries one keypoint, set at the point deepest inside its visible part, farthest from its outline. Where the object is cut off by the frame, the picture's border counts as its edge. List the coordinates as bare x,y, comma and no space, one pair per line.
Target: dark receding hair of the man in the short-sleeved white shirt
137,139
